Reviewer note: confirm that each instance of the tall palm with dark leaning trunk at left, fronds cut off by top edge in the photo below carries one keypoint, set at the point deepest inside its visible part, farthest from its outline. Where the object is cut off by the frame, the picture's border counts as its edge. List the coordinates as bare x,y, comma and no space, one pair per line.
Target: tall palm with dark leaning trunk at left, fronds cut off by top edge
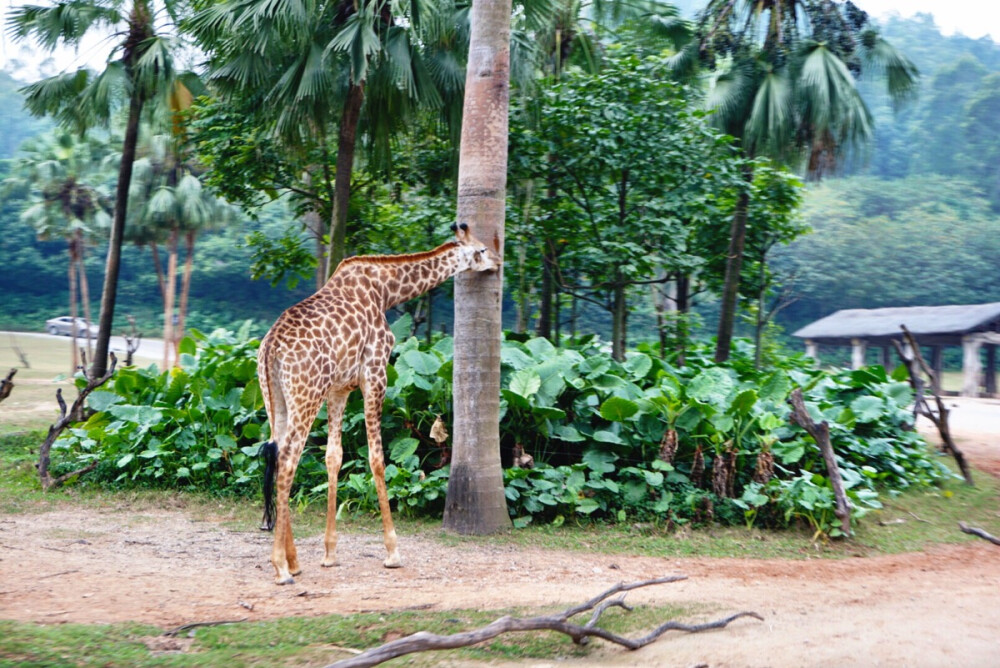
139,66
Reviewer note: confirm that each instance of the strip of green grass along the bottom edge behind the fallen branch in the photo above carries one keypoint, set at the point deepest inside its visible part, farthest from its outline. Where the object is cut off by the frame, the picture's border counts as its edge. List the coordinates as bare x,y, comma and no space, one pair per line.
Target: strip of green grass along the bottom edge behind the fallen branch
297,641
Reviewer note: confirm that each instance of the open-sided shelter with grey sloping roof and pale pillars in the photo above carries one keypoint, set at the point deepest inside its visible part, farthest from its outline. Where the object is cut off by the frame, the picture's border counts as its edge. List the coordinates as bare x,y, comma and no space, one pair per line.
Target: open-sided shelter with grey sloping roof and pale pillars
974,327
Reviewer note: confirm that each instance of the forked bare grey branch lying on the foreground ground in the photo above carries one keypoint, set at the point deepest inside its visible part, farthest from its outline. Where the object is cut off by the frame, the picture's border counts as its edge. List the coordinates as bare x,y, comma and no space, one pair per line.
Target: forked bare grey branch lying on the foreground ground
580,633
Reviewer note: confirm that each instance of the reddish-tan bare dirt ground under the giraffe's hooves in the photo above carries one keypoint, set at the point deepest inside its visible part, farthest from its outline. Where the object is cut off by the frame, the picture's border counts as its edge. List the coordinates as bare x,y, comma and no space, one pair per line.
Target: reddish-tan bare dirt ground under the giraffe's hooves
939,608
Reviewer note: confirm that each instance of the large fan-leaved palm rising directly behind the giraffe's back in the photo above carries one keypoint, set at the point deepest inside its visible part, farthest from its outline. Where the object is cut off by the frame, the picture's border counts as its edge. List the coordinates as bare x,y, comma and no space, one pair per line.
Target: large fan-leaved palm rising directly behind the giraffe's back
363,66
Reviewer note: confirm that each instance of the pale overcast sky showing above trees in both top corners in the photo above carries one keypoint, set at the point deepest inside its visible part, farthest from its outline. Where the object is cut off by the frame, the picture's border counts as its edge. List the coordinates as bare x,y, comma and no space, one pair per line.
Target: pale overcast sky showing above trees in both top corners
973,18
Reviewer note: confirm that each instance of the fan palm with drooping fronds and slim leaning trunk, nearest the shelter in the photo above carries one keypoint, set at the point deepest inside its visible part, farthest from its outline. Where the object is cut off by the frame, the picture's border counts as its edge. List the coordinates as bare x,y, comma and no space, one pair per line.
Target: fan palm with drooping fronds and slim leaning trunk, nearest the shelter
784,84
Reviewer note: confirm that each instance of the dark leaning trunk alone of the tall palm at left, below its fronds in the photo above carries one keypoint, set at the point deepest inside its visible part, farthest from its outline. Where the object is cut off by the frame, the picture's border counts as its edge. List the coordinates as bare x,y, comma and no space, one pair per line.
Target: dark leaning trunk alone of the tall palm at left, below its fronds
113,264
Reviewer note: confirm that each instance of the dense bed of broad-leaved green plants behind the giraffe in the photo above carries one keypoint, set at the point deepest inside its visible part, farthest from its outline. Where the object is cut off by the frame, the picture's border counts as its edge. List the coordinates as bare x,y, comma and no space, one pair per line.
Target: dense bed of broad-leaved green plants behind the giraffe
640,440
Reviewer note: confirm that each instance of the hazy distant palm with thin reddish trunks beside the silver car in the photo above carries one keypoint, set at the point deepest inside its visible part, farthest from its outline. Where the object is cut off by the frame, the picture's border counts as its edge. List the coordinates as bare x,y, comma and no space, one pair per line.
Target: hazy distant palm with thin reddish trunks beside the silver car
63,176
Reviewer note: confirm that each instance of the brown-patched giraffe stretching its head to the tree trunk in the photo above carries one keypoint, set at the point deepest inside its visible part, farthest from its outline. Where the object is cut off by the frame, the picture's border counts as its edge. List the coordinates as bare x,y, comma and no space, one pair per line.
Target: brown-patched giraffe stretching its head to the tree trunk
322,349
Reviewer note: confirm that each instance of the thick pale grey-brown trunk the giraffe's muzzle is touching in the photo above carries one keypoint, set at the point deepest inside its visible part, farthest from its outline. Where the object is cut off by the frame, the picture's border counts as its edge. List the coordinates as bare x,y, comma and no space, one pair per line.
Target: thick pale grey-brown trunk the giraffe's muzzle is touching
475,503
